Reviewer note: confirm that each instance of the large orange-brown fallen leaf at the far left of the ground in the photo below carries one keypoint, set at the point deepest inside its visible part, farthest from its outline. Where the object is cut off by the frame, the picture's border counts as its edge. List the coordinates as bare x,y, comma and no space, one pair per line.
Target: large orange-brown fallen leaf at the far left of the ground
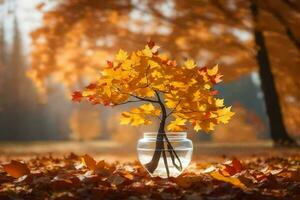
16,169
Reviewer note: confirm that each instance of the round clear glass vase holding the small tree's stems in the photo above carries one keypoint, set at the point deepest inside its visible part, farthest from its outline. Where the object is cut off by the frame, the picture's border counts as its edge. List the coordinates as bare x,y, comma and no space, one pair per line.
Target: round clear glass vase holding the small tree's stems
165,154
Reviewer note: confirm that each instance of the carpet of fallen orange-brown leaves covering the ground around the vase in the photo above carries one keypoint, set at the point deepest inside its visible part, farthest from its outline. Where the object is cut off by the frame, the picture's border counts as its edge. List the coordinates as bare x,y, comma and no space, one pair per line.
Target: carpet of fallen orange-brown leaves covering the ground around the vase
82,177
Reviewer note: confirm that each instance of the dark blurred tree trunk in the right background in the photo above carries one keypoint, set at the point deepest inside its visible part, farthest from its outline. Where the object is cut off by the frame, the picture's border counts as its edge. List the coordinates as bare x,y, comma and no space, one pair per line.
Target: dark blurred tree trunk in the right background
277,128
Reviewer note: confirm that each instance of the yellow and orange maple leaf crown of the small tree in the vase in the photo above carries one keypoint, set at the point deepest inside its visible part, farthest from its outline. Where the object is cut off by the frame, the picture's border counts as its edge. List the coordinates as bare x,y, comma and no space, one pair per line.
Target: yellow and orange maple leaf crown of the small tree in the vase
151,78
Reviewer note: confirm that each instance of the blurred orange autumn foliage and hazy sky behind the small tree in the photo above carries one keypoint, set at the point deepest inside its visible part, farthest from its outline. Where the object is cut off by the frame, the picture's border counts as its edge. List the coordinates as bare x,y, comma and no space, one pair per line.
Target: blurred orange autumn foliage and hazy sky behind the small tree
50,48
